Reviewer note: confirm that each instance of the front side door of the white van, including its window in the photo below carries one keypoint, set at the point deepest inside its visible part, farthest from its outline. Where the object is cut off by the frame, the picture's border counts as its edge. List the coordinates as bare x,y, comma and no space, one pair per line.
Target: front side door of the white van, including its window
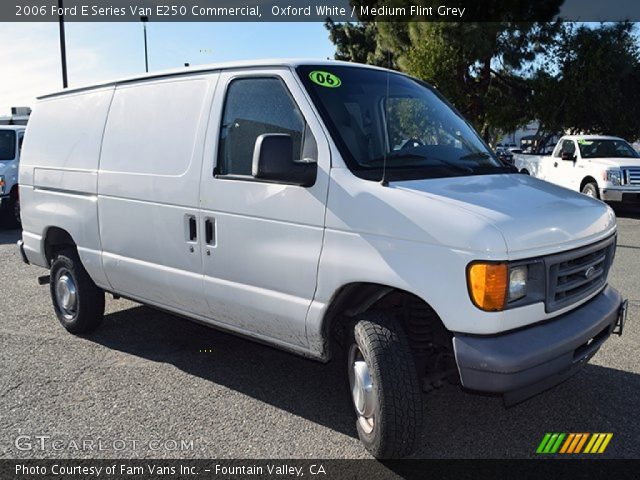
263,239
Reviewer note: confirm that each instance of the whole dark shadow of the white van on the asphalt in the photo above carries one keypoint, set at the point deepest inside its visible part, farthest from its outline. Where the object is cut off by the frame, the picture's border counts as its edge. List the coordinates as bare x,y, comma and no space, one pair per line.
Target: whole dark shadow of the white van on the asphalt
457,424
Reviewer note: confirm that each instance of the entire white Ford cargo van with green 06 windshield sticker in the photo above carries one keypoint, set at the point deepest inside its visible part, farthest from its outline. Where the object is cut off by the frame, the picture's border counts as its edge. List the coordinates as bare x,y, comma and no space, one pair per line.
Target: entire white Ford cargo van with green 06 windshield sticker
330,209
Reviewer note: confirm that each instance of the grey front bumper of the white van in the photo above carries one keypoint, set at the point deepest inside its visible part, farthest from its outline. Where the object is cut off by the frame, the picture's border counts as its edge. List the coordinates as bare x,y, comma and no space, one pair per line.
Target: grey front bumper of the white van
527,361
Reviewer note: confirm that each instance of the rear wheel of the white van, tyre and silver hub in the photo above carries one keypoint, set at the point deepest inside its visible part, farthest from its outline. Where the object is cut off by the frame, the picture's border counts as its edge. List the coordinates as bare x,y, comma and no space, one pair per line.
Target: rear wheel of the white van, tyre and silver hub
78,302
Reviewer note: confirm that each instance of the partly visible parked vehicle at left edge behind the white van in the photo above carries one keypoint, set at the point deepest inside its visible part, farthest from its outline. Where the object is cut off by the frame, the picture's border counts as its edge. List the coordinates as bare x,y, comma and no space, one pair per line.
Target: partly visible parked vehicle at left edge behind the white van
10,146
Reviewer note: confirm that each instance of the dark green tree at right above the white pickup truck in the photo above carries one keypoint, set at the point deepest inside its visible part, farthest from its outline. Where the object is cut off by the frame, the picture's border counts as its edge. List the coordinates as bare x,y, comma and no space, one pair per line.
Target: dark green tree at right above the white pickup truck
594,84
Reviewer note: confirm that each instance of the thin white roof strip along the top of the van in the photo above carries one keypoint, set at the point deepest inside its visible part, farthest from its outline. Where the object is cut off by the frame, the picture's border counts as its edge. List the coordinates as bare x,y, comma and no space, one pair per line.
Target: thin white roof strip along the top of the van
278,62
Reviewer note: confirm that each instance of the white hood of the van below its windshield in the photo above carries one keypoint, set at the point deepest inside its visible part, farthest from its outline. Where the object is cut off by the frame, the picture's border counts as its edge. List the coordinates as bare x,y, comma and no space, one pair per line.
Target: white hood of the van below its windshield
531,214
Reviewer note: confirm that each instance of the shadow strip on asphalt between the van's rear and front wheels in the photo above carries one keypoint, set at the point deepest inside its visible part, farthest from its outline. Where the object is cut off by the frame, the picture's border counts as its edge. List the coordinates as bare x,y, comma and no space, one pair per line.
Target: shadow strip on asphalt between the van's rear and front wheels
307,388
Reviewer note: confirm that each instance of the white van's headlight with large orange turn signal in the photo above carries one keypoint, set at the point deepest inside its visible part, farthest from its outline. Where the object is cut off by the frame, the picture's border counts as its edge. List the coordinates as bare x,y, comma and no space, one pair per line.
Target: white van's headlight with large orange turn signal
494,285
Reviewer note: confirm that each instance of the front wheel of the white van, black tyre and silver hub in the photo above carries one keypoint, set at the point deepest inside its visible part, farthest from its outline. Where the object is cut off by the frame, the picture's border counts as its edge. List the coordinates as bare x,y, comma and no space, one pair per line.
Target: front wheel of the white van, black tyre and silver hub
384,386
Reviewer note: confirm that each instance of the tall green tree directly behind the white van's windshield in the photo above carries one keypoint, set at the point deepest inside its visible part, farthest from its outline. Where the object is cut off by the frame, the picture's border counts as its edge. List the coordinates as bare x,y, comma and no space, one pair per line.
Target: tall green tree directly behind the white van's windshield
480,67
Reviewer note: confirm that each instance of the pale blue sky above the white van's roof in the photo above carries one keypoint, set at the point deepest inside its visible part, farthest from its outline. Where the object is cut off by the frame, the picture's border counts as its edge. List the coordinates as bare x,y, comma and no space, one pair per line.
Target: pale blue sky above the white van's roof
30,55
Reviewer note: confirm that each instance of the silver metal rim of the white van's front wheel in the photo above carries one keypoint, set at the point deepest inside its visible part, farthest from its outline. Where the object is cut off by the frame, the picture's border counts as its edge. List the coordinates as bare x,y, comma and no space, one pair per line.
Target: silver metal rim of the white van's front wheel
362,393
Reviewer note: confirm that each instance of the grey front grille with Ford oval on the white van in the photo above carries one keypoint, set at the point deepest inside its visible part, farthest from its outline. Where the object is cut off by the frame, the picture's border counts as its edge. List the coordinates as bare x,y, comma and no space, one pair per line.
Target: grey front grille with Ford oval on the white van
573,276
